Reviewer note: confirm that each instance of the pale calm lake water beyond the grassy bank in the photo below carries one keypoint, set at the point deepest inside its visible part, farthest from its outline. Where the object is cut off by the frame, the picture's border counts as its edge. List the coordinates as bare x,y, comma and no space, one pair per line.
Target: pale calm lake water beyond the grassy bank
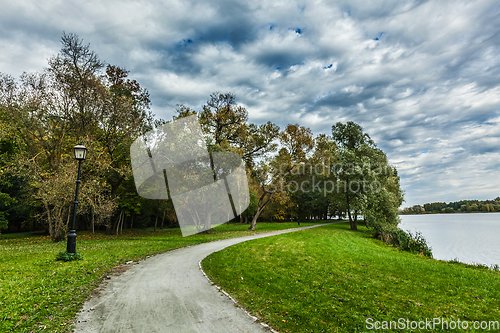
472,238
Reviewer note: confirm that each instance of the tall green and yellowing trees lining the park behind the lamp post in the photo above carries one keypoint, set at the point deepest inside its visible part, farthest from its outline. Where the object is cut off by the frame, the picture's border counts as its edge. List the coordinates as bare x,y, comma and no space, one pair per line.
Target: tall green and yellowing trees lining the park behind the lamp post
292,174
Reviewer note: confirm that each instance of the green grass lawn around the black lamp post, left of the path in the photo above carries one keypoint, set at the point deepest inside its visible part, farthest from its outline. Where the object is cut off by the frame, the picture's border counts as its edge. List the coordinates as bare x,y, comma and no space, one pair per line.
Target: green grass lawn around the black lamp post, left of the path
38,293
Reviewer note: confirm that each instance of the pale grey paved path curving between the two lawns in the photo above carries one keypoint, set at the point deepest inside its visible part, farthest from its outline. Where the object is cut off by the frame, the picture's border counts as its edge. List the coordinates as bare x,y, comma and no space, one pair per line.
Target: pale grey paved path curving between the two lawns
168,293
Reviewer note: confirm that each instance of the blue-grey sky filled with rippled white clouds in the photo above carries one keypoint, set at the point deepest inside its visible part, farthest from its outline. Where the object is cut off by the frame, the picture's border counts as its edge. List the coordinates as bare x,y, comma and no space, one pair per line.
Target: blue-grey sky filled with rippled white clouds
421,77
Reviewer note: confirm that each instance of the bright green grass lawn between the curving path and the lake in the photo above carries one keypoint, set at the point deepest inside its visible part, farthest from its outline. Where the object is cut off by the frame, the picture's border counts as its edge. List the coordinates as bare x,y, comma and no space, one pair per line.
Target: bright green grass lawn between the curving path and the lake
330,279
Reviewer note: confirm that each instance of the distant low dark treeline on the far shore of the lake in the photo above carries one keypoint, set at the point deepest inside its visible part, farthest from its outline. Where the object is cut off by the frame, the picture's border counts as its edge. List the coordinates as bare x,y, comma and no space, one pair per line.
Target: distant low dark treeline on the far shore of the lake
463,206
